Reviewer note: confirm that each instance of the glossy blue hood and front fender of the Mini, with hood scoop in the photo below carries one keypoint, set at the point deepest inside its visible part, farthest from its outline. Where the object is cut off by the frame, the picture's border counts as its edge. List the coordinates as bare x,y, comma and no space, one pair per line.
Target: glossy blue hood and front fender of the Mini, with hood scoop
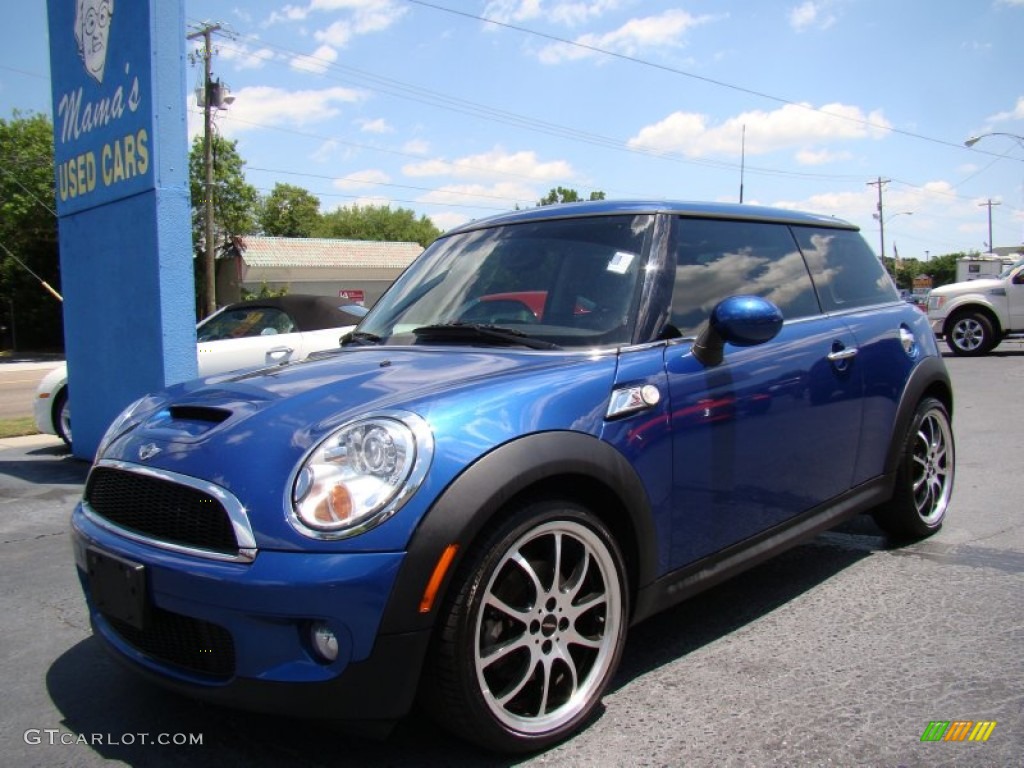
248,433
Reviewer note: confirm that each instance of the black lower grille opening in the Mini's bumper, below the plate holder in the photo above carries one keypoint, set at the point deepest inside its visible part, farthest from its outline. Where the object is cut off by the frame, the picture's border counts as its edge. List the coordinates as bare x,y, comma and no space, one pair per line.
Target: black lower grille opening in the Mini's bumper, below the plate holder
190,645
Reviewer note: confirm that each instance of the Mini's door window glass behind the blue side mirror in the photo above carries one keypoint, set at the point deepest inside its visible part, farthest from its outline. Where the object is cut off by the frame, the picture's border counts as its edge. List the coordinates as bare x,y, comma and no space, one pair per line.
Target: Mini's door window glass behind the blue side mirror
718,259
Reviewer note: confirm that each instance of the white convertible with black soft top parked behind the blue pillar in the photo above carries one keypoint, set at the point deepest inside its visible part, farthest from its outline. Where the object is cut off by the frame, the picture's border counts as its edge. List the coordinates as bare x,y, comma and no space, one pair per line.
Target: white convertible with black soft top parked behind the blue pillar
259,332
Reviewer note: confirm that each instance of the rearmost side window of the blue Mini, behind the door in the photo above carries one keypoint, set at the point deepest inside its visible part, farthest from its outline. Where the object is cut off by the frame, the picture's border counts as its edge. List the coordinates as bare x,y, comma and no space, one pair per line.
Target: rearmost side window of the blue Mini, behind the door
845,270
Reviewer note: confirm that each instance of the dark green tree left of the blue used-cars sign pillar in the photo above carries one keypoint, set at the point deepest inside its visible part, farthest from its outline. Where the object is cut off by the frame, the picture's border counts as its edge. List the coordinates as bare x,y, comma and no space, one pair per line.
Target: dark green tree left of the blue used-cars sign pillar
32,317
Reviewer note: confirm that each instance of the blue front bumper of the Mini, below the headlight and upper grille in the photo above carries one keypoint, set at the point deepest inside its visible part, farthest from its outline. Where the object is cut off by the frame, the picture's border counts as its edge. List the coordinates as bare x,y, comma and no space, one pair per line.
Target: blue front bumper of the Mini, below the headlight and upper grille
240,633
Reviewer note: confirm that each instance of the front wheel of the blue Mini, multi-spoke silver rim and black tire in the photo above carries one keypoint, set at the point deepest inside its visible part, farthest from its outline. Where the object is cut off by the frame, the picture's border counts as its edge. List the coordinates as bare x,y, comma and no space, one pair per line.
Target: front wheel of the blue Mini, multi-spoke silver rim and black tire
533,631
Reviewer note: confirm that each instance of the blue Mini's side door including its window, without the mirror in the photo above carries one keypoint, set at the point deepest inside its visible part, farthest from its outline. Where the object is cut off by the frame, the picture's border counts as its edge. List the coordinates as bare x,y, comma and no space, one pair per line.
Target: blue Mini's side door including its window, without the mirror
773,432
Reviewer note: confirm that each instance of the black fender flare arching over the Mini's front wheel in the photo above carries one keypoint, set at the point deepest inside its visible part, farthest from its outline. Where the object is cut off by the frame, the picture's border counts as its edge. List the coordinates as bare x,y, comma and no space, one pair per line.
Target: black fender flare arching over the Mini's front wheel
511,471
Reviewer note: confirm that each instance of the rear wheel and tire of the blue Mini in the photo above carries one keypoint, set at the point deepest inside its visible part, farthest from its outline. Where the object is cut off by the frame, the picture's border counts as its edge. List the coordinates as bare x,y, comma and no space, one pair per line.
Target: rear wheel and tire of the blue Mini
925,478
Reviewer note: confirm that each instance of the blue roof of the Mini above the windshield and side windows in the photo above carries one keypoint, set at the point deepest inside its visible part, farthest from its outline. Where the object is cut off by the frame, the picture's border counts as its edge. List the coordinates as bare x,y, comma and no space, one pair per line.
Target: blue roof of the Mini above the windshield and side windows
678,208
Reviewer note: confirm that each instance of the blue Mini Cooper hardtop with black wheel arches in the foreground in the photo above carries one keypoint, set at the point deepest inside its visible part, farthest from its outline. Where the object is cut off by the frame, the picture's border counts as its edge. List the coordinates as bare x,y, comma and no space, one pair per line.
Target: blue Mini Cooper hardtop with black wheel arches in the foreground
556,423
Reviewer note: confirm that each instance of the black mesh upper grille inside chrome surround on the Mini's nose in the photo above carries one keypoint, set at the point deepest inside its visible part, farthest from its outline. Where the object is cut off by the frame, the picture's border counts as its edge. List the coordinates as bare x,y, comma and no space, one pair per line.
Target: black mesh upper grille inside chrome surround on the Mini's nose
161,509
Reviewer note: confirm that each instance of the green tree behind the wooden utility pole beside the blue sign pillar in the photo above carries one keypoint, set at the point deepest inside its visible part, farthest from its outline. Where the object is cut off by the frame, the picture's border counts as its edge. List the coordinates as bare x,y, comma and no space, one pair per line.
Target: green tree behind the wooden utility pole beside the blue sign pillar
236,204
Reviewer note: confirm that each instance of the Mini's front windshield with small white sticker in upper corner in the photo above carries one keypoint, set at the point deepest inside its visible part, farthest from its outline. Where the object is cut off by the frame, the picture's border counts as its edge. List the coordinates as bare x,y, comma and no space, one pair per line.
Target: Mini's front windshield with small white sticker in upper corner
569,283
